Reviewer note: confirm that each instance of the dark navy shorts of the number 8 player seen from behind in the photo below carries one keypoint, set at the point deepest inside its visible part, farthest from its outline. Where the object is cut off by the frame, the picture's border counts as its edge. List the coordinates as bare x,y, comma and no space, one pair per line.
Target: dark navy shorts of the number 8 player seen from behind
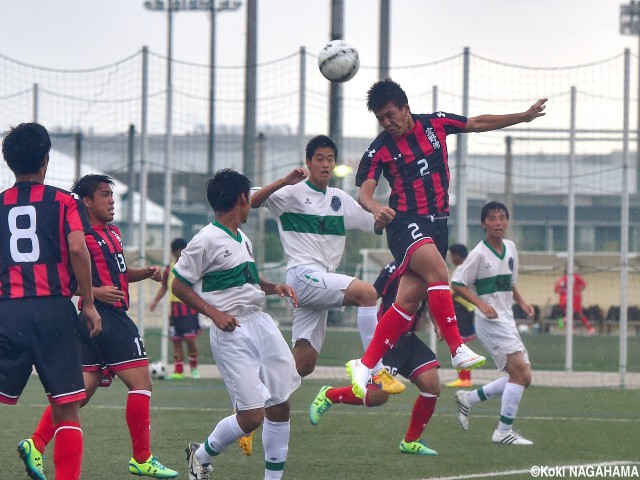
43,332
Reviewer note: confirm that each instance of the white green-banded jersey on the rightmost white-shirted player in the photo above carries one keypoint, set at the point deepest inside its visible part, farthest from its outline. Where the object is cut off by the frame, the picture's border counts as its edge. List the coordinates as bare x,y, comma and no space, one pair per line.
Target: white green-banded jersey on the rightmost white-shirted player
491,277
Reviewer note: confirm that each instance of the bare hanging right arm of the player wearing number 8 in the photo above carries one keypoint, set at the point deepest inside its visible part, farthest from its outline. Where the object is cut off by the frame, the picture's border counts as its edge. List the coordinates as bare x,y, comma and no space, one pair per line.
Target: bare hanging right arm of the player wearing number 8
81,264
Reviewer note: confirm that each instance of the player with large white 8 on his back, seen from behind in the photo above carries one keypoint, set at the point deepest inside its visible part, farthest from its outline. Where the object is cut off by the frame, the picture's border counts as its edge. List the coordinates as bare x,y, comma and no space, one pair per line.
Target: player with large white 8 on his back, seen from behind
43,261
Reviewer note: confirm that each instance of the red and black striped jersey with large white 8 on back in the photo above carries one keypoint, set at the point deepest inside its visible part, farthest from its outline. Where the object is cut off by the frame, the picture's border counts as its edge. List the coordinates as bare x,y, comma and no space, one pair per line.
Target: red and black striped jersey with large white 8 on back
35,220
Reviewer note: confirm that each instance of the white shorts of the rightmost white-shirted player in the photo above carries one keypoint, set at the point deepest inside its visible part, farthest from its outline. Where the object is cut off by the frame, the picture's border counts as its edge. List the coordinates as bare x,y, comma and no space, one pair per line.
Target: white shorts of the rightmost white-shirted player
500,339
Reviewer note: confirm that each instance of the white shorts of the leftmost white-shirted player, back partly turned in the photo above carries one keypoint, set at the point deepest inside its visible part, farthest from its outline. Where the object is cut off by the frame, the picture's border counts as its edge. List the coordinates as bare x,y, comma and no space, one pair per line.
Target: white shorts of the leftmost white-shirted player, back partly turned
255,362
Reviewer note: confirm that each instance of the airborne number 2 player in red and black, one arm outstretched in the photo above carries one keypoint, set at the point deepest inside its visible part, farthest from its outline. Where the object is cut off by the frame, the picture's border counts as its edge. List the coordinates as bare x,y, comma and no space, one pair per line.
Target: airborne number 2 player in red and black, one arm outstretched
412,155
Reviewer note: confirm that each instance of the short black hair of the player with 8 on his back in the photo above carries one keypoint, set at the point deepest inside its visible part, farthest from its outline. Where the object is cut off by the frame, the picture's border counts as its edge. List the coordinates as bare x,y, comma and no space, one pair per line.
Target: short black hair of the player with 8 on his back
25,147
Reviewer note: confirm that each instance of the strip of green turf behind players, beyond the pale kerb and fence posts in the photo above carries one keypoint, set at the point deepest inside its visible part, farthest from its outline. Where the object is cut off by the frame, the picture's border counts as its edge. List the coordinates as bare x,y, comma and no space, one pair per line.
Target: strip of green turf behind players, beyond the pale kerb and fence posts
547,352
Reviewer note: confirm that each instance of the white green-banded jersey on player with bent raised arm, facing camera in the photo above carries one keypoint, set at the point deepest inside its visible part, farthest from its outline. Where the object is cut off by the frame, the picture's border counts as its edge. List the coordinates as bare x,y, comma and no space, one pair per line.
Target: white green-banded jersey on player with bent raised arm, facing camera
312,223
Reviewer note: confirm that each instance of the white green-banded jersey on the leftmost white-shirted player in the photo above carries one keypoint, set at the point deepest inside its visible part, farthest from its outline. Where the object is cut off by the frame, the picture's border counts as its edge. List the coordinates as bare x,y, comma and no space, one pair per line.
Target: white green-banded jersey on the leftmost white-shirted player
219,266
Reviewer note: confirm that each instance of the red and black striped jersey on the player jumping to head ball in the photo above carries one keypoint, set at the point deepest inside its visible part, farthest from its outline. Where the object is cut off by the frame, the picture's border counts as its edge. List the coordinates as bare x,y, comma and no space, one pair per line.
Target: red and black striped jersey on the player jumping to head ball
416,165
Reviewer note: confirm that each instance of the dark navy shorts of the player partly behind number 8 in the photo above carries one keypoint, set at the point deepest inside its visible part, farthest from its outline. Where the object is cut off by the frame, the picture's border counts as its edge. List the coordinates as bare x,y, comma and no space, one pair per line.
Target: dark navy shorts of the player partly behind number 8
118,347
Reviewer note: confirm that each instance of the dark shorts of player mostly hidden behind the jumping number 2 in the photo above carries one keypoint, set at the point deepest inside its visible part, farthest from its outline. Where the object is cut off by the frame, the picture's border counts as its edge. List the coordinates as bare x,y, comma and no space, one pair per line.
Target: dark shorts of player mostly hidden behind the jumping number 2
409,357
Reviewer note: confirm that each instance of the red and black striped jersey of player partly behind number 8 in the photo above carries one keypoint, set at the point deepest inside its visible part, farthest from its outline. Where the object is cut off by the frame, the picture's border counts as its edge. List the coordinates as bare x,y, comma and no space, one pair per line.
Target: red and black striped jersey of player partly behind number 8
108,266
